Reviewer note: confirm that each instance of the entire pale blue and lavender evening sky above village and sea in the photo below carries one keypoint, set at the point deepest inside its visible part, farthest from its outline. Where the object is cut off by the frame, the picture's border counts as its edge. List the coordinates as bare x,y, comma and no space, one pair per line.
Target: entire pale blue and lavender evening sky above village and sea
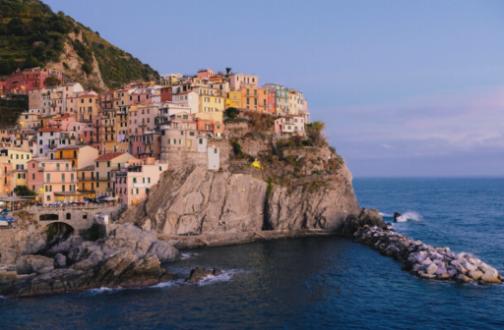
406,88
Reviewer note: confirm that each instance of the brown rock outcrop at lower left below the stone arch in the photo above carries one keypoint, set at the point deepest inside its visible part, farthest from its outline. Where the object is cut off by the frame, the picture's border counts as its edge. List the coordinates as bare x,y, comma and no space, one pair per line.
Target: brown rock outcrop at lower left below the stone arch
128,257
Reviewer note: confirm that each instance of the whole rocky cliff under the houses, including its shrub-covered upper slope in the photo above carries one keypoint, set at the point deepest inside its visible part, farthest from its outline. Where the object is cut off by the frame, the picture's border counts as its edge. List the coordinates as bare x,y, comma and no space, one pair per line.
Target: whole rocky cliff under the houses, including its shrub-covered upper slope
298,190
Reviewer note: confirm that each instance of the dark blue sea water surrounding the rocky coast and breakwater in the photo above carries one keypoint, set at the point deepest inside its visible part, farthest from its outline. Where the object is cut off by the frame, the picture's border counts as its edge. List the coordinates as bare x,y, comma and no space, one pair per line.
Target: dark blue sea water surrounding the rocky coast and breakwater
316,282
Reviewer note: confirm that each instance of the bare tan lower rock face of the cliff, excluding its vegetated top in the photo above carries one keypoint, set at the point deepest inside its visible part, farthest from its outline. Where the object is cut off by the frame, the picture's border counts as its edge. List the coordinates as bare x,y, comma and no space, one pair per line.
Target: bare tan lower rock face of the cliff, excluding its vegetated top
195,202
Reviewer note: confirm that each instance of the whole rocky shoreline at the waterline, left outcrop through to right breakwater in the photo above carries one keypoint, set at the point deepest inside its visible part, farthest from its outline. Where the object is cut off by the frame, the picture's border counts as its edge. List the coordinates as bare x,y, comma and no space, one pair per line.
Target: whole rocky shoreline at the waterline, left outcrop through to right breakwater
133,257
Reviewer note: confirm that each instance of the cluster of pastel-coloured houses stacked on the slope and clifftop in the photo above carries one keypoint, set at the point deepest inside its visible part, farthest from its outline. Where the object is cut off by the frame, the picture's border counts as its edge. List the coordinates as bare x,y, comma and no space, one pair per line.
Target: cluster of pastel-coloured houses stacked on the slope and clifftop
72,144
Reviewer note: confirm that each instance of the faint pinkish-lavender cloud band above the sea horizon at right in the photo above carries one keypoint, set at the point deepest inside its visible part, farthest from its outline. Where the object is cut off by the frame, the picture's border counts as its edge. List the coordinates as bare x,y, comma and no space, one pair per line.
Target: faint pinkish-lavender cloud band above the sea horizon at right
425,126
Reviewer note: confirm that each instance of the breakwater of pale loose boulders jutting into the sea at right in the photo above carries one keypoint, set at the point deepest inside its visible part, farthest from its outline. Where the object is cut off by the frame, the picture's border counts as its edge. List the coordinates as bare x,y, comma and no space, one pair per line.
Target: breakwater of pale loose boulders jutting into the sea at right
425,260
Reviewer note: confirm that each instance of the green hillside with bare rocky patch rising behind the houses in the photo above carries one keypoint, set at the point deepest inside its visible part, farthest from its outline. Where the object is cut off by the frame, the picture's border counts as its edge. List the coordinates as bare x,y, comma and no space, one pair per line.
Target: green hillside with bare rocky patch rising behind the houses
31,35
